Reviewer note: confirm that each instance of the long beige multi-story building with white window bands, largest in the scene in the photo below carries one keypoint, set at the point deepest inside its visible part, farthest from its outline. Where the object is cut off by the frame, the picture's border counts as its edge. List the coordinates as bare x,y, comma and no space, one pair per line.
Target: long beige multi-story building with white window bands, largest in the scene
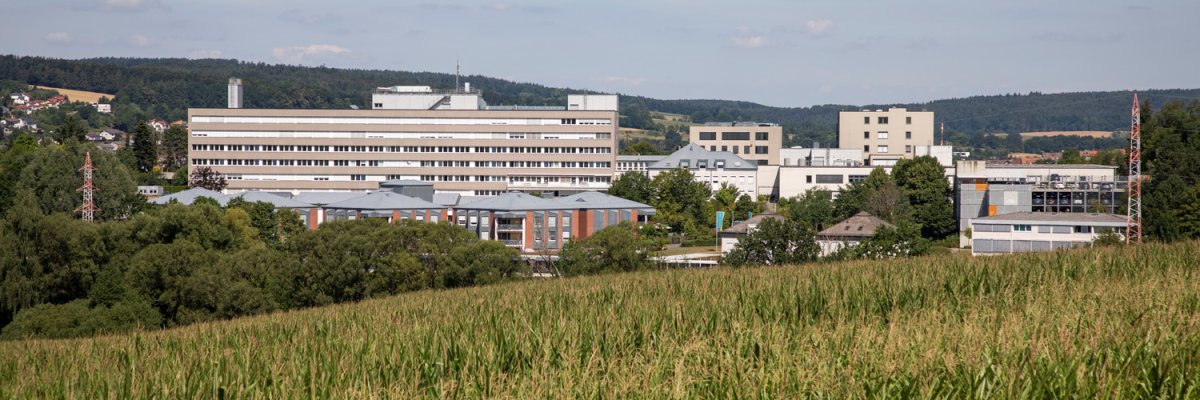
449,139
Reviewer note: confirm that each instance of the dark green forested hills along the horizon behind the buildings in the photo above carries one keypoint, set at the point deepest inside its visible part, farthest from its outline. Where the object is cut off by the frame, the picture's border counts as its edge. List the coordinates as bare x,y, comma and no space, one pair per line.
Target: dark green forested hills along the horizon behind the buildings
165,88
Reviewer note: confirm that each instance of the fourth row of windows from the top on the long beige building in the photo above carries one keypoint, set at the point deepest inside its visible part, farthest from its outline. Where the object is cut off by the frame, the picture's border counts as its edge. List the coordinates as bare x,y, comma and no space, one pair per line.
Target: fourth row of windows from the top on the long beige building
256,163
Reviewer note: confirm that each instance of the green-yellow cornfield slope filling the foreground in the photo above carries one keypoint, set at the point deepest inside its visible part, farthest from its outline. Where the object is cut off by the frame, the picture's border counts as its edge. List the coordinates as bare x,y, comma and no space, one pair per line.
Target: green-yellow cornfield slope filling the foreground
1111,324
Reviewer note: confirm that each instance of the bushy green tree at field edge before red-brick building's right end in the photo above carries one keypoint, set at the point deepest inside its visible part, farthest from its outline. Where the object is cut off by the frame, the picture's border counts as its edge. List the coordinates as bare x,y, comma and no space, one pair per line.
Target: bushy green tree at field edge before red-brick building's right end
617,248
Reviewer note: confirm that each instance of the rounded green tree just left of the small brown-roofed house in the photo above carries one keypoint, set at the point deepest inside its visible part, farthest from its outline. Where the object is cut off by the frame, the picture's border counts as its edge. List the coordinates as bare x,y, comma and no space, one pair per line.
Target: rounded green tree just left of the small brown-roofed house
775,242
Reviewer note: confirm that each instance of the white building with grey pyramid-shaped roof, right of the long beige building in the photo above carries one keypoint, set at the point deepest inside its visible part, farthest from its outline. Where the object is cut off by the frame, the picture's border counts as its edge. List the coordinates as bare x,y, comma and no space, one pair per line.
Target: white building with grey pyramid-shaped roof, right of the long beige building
715,169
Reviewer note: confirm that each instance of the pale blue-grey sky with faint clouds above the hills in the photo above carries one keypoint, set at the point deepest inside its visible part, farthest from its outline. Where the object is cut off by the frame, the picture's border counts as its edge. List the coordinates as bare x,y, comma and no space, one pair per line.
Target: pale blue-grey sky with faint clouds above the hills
787,53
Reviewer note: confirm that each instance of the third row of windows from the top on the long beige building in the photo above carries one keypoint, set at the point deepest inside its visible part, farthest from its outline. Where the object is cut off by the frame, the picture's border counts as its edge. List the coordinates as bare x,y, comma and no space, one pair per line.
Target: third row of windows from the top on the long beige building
291,148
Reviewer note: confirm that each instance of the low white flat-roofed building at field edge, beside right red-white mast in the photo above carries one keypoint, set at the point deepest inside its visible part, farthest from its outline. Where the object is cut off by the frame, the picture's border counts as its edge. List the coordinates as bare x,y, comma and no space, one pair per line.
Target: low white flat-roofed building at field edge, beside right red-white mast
1023,232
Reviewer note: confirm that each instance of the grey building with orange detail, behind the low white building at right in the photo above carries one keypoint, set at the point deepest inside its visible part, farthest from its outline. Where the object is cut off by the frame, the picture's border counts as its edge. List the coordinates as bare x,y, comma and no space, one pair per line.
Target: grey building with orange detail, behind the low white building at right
988,190
